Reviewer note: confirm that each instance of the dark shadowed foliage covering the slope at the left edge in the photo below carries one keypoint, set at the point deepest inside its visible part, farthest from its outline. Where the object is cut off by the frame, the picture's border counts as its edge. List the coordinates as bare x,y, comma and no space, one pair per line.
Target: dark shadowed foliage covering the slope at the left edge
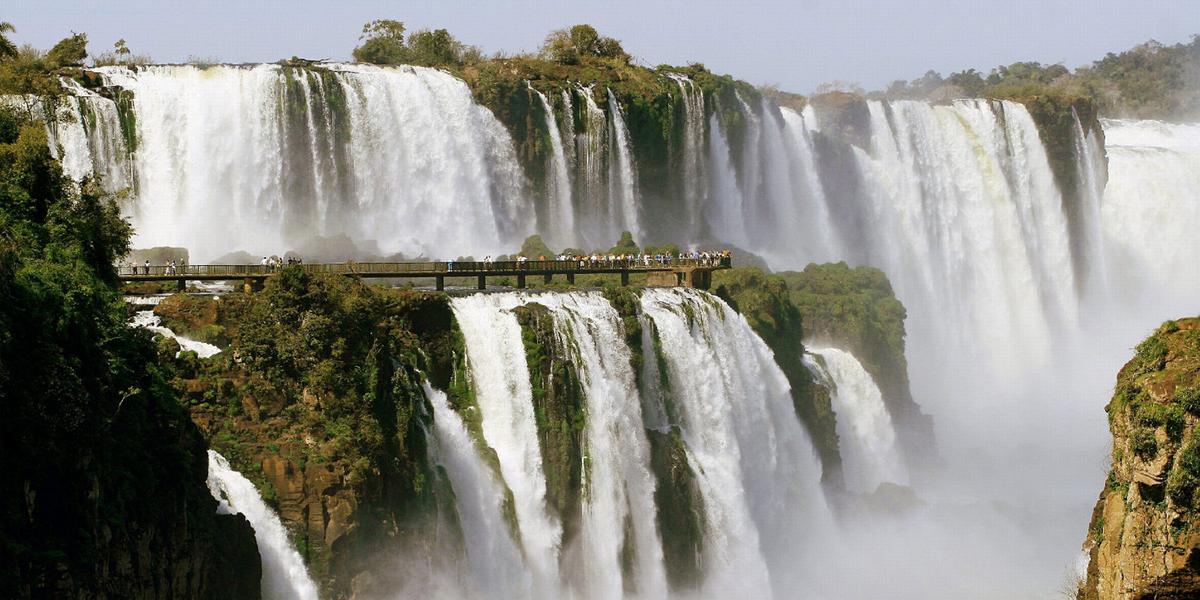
95,451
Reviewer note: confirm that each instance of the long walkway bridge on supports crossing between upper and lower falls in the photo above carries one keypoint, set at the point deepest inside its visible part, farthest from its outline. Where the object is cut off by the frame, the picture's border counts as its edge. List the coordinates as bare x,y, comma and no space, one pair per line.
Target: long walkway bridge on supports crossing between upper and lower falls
680,272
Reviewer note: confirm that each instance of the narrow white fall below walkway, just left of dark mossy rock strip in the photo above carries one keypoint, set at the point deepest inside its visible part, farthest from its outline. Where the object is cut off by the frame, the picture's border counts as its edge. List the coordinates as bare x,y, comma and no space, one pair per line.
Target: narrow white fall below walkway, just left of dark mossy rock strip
497,362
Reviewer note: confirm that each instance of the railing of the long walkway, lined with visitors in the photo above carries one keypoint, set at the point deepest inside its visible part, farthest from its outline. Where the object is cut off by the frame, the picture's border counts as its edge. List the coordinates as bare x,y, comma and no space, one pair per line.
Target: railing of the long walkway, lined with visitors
435,268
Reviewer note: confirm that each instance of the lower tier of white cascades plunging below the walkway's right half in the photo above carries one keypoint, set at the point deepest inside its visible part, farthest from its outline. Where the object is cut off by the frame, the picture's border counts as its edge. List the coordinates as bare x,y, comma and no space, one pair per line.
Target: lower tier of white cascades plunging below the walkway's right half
757,471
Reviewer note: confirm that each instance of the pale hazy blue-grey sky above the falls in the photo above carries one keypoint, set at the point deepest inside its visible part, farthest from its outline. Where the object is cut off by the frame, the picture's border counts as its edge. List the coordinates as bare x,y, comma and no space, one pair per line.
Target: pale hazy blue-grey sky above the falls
796,45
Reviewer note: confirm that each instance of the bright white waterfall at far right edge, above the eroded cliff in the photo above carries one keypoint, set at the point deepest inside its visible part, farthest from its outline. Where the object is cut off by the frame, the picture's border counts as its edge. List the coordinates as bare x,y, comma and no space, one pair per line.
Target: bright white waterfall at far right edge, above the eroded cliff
1150,212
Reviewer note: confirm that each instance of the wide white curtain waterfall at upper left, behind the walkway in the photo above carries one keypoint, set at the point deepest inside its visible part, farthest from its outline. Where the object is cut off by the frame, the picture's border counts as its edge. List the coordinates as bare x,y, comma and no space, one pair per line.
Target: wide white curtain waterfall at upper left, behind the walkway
267,159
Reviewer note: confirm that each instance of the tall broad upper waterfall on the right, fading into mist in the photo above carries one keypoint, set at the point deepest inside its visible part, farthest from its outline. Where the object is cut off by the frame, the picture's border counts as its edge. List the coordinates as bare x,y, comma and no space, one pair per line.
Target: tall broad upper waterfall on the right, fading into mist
964,217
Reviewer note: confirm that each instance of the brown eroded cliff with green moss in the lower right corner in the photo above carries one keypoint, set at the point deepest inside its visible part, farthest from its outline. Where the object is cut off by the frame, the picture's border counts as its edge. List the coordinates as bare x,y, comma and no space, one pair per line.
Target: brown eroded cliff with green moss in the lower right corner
1144,541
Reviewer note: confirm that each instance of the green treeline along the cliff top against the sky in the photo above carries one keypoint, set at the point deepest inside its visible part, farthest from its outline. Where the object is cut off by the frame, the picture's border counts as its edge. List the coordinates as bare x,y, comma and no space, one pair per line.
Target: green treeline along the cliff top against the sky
1151,81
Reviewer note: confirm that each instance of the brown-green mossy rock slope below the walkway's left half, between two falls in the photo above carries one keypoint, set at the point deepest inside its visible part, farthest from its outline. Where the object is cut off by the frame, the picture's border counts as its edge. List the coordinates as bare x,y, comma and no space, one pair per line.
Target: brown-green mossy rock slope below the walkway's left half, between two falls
319,401
